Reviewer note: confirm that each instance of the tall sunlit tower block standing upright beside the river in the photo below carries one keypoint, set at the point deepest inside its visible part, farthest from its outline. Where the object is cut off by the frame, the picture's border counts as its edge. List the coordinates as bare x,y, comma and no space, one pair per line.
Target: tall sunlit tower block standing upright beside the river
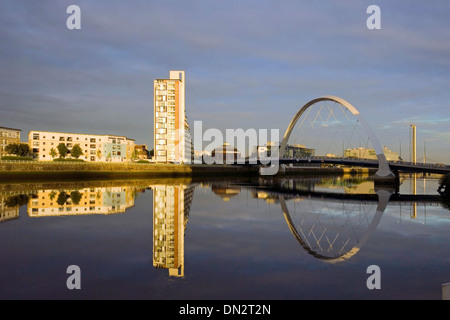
171,134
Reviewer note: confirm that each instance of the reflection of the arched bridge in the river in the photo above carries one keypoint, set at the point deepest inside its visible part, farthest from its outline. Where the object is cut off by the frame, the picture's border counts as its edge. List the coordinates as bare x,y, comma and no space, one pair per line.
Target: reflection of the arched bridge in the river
332,218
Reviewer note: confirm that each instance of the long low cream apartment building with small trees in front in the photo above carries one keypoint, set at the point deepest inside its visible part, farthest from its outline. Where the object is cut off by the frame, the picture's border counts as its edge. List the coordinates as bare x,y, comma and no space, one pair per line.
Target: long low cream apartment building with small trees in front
95,148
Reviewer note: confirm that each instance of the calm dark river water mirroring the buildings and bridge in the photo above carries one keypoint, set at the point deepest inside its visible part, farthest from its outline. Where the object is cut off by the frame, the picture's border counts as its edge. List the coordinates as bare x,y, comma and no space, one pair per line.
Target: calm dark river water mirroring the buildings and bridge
333,237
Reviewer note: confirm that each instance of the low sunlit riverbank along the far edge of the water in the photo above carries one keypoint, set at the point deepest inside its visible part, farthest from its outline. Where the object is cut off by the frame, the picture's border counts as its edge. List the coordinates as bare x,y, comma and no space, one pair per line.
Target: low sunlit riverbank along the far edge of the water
30,171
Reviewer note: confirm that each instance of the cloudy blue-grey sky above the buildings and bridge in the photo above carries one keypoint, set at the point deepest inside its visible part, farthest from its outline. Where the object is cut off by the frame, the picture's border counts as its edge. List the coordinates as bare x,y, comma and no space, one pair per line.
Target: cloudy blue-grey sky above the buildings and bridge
249,64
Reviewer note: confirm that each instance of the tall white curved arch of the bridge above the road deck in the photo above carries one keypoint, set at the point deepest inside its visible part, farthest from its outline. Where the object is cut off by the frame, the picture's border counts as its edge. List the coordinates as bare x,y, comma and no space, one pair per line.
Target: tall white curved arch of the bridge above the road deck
384,170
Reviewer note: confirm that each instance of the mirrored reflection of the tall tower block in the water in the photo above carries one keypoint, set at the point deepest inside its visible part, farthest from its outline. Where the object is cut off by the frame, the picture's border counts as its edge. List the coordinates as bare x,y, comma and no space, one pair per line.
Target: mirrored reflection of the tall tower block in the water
171,205
